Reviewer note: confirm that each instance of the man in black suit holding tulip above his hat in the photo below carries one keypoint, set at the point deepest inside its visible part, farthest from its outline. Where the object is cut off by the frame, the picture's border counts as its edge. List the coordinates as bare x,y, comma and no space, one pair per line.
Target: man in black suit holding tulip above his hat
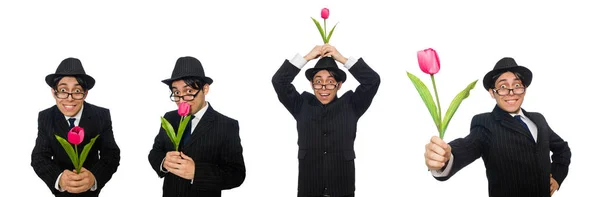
326,124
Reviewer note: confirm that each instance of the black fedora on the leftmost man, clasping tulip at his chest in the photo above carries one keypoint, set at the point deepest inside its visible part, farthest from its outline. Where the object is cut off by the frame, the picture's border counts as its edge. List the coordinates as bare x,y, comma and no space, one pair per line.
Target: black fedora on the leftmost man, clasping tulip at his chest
71,67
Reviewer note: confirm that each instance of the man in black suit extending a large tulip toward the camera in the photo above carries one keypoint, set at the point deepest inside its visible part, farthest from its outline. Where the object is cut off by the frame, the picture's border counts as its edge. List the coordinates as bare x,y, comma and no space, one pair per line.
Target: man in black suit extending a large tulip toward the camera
513,143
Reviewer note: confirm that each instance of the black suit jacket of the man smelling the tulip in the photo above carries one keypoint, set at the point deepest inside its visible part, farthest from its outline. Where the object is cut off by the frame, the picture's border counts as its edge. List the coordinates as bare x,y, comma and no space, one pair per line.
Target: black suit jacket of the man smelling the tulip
216,150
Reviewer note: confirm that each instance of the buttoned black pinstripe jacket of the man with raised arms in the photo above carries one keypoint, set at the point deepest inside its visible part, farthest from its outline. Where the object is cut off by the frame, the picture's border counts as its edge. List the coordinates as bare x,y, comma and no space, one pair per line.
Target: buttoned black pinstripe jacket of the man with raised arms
326,133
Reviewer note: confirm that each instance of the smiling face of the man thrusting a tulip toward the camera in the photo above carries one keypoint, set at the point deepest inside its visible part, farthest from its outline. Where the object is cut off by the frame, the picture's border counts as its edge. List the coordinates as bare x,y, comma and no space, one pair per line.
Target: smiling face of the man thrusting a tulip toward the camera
510,102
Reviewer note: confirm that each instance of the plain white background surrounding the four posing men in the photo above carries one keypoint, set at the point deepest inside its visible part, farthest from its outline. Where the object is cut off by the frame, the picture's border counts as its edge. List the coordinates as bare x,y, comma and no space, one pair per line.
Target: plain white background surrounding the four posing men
129,47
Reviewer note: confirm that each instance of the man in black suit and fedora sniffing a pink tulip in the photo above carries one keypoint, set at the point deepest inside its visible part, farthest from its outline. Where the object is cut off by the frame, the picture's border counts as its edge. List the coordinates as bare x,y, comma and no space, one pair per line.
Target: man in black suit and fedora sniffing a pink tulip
210,153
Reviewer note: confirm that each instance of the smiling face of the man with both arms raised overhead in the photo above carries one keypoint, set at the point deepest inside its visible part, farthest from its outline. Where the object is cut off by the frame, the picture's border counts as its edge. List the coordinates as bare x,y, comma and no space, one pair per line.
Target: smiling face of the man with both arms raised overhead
325,86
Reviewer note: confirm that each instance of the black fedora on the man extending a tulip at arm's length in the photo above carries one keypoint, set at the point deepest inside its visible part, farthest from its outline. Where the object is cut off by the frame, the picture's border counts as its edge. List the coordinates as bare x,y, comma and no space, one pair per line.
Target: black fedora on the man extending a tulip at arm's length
504,65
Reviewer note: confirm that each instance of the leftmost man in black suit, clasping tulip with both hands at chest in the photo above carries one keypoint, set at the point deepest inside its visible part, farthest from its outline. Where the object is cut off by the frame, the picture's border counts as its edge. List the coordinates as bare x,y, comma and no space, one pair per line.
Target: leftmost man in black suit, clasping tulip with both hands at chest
70,86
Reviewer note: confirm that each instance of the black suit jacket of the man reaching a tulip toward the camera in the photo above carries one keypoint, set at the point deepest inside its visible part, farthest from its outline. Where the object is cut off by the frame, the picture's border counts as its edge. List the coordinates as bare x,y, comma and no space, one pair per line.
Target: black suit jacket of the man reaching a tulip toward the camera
515,164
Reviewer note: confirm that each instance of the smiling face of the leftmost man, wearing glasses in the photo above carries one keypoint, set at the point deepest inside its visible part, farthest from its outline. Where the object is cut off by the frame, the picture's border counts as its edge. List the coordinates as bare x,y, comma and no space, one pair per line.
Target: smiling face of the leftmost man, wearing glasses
69,106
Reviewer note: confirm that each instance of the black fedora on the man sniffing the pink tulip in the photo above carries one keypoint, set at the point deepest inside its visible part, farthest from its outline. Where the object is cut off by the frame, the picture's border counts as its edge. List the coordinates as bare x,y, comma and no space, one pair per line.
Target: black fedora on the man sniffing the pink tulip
188,67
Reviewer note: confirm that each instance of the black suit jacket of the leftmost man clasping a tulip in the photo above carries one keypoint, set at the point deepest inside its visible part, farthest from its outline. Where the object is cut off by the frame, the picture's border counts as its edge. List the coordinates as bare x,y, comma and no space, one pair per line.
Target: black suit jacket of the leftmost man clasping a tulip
49,159
